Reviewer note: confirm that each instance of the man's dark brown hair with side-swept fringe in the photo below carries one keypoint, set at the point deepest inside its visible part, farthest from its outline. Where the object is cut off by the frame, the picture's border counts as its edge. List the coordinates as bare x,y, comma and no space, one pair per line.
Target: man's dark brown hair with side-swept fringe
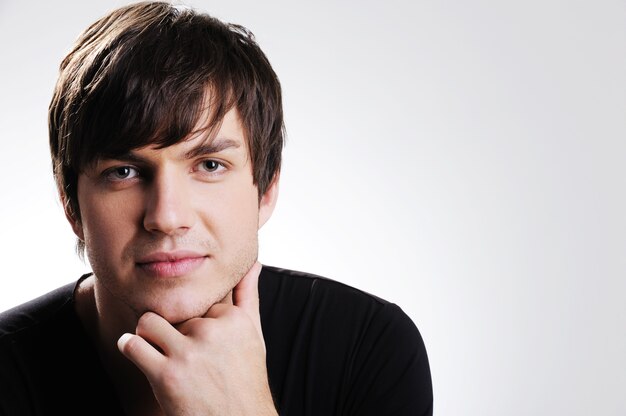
140,75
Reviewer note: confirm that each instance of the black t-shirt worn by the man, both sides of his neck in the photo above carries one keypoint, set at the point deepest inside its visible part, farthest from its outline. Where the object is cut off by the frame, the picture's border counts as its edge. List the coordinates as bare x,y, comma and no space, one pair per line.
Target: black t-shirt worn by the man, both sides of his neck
331,350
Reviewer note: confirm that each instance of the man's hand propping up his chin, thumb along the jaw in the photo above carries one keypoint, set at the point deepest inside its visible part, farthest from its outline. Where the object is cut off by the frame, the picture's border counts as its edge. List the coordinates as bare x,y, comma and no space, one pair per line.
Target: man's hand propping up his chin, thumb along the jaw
214,365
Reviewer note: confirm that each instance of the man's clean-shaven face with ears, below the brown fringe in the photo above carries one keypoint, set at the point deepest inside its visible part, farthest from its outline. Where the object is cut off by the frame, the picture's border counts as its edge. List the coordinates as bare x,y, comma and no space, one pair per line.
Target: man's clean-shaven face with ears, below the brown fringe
173,230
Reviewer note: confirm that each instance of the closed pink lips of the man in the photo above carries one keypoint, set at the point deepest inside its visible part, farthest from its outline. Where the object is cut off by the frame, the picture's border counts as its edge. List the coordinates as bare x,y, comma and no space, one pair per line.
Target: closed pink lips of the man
170,264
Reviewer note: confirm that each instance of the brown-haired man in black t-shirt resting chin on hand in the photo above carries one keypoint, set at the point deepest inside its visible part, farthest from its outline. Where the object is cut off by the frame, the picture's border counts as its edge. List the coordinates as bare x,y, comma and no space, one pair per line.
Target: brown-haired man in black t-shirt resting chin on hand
166,132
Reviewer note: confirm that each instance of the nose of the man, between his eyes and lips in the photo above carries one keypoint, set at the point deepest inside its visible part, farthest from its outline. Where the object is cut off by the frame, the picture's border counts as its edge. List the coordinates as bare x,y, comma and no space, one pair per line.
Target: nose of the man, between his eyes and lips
169,206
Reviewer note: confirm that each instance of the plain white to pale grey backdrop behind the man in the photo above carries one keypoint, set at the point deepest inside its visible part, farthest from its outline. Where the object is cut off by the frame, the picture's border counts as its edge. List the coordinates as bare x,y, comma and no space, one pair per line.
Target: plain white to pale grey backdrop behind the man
464,159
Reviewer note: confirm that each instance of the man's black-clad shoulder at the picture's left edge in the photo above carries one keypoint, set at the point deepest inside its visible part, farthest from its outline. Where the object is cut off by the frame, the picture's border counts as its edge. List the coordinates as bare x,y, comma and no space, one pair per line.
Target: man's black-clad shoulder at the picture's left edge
46,356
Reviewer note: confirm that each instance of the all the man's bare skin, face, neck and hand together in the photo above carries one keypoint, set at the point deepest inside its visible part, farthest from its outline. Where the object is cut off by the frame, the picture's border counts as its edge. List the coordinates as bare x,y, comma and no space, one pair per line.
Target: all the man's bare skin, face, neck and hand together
171,235
